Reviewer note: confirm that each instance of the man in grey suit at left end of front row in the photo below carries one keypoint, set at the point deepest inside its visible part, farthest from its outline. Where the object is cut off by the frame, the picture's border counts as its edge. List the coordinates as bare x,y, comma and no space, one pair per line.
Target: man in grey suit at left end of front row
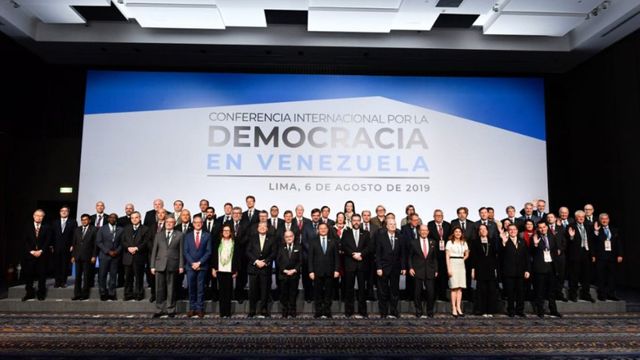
166,262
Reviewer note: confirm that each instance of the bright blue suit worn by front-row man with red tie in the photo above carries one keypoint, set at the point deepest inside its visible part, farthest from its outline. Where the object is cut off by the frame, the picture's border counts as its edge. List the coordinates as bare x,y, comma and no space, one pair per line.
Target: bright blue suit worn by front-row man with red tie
196,278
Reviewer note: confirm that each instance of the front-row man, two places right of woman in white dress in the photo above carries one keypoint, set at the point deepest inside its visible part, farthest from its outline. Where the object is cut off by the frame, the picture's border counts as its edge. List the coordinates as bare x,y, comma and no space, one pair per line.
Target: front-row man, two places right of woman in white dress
515,269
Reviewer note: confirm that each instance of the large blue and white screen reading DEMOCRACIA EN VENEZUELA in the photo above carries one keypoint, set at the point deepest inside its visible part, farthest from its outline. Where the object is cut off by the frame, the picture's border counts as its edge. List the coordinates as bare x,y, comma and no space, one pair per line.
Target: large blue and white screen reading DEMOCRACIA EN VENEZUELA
434,142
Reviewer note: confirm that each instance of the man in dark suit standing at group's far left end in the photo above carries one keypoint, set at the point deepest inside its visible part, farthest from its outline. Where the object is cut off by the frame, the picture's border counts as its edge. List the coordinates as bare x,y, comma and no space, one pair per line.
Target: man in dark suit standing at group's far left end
37,240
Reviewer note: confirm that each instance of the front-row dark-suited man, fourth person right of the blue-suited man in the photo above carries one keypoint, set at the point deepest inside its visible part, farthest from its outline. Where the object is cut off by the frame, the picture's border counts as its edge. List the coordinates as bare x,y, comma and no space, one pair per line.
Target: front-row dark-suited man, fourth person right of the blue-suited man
324,262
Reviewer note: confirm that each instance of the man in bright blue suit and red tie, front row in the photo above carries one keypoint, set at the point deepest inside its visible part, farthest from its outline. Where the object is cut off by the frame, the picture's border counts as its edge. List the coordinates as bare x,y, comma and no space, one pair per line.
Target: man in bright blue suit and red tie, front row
197,253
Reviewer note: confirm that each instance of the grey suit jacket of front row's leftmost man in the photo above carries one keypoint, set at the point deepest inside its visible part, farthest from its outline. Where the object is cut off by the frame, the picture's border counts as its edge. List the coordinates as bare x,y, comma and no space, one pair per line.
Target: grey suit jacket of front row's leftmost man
165,256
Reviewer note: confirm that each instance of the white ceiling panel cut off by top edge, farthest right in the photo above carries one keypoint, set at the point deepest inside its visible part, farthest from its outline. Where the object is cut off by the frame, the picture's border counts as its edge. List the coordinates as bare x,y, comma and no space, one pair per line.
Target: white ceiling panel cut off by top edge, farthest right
552,6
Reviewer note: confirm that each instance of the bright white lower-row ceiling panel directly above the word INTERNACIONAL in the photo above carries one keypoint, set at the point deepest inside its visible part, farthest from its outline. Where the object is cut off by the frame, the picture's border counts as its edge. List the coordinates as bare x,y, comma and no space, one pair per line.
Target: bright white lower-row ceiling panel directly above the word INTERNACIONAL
362,21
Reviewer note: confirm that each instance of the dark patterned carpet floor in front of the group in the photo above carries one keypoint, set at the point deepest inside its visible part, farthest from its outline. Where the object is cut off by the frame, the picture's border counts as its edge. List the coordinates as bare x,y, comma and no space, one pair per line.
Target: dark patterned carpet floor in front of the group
574,336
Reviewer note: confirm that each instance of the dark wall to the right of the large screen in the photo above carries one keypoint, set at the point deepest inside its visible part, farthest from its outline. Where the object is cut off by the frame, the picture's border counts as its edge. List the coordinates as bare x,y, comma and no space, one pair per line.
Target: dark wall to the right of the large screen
592,131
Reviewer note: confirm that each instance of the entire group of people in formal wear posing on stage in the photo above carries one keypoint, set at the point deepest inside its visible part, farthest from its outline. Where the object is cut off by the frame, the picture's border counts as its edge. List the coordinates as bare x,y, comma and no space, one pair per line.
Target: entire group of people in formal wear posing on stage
354,257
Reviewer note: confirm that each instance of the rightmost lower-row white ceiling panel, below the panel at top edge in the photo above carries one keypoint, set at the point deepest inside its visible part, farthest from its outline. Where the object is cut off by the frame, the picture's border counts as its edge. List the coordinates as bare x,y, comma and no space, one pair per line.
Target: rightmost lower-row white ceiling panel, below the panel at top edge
533,25
